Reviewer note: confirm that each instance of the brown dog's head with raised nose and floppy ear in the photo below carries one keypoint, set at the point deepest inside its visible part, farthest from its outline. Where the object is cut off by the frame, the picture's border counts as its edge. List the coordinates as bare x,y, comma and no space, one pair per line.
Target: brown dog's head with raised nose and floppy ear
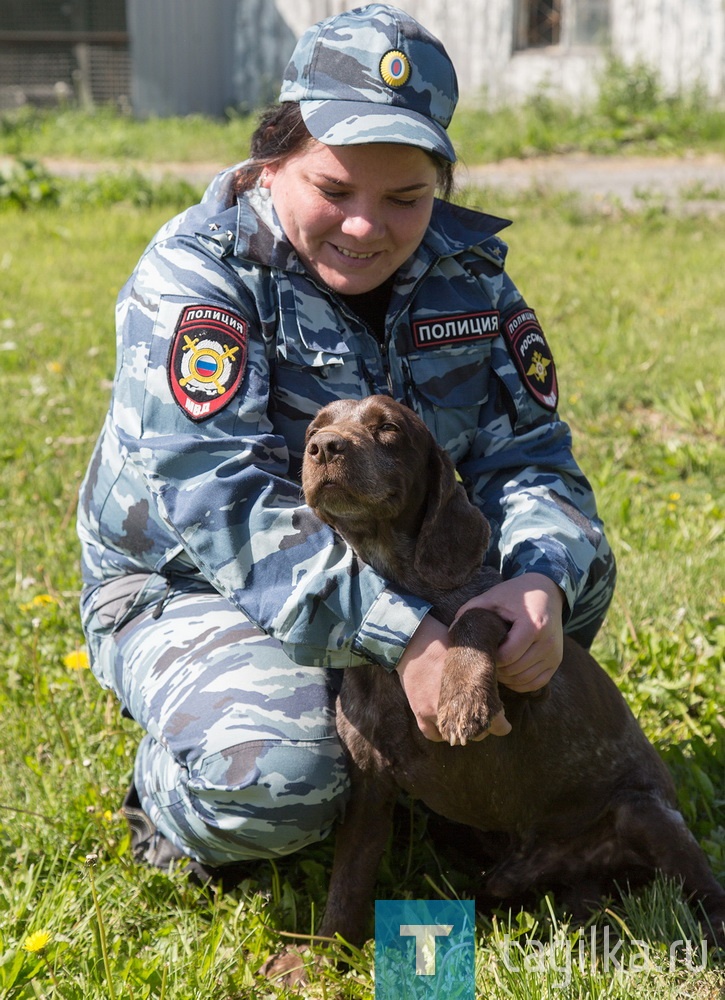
373,462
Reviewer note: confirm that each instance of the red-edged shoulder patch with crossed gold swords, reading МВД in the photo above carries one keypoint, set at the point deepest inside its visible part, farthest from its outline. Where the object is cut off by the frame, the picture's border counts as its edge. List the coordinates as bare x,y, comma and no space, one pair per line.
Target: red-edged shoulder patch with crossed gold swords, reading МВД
207,359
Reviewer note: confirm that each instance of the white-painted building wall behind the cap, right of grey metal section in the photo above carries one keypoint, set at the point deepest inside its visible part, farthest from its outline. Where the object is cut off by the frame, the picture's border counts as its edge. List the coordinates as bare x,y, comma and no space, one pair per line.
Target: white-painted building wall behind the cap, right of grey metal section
683,40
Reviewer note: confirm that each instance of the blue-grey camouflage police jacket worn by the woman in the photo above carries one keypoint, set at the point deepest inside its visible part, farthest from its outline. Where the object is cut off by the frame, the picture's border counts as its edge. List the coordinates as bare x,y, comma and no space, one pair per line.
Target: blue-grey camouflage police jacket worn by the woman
226,349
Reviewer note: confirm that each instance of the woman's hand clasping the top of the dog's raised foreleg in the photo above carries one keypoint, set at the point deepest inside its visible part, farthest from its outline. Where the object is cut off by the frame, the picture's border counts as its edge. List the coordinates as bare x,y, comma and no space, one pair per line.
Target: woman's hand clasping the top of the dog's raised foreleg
531,652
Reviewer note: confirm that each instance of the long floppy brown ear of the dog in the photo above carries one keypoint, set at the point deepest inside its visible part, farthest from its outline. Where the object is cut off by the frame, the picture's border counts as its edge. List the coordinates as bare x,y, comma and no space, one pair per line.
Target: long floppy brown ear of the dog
454,534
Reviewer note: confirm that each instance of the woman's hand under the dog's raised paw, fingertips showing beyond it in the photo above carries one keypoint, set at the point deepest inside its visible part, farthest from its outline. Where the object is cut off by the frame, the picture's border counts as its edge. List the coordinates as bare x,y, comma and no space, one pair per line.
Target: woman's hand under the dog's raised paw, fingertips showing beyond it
420,670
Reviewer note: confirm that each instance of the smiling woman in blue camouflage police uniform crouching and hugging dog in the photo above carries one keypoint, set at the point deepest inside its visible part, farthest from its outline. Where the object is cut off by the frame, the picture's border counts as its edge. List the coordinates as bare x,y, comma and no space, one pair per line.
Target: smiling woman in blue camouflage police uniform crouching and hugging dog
216,606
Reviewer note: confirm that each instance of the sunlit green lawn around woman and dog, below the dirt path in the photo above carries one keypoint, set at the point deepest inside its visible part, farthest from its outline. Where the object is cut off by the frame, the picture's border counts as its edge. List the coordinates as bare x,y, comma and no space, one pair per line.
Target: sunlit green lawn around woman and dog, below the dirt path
634,306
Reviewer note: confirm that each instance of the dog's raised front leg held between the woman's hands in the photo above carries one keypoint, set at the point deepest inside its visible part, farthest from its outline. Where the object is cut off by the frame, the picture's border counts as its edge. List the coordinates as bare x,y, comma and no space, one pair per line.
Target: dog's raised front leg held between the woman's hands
469,698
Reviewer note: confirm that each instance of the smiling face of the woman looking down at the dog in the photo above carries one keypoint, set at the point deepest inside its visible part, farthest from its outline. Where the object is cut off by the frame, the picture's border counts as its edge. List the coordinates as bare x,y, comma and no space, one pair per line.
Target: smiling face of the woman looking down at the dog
353,213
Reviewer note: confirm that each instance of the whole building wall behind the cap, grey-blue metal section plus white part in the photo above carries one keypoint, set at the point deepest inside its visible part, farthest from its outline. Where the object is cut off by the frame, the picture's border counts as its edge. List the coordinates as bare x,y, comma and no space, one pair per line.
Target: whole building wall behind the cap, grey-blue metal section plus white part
207,55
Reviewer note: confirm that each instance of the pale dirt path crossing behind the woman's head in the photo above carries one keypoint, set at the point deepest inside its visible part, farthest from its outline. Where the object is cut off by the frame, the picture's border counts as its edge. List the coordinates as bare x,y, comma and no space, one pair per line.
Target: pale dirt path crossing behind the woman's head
691,184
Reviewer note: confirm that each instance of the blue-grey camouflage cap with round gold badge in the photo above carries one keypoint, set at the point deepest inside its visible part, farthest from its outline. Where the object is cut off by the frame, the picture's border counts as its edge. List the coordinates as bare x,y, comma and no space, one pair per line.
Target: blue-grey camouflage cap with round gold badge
373,74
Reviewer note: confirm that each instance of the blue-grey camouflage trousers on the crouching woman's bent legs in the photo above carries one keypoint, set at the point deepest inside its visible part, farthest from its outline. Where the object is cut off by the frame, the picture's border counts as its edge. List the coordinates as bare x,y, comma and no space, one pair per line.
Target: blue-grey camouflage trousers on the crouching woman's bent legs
240,757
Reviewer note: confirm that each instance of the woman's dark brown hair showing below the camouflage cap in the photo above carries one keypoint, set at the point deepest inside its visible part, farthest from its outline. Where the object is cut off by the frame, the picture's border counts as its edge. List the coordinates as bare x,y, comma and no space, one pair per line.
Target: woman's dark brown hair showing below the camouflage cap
281,132
